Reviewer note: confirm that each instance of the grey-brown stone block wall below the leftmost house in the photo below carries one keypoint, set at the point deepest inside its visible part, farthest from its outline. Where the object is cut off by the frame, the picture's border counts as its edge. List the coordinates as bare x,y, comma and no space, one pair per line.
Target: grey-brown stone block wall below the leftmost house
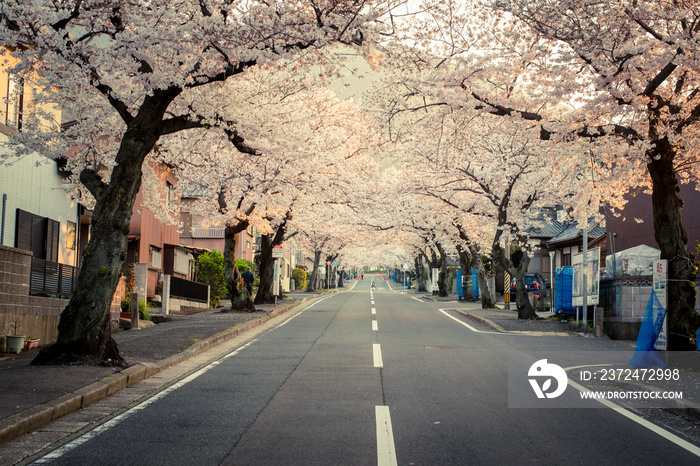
35,316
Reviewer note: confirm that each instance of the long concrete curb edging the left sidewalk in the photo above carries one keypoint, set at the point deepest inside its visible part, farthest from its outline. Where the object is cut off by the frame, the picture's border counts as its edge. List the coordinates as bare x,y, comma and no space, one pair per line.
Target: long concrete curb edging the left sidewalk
33,418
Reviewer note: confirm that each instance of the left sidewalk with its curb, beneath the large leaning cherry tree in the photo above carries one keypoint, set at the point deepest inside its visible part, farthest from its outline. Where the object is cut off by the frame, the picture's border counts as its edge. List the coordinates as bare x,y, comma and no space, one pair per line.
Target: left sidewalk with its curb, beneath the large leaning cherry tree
36,395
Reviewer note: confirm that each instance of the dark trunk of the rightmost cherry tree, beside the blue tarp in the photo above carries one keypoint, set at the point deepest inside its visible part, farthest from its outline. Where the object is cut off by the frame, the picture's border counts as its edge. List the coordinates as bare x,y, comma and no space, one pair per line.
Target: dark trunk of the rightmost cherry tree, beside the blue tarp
672,238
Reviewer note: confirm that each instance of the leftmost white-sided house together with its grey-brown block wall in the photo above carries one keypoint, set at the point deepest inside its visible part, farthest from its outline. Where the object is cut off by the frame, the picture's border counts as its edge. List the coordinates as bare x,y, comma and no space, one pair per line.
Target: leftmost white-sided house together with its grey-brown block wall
40,232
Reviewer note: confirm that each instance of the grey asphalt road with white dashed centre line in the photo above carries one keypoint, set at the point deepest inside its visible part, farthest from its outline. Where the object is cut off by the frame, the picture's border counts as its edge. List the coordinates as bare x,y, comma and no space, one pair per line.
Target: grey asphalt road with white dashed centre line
373,378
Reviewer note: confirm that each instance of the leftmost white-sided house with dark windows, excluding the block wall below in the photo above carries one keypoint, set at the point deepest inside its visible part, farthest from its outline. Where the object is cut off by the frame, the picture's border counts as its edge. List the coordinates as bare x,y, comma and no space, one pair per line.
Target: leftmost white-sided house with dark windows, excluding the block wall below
37,214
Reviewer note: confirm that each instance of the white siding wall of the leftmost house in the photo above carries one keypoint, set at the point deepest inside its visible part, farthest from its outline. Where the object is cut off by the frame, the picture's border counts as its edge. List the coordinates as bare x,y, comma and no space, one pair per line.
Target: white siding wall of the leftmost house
32,183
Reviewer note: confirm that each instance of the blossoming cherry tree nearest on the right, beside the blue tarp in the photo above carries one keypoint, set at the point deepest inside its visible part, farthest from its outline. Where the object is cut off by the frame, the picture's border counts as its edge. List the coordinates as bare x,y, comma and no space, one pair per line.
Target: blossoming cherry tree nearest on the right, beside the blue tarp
616,79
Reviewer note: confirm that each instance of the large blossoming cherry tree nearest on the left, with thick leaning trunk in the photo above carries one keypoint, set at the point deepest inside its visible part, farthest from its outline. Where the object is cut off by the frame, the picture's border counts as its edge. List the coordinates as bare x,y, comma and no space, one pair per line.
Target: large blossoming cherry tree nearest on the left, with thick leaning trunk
131,73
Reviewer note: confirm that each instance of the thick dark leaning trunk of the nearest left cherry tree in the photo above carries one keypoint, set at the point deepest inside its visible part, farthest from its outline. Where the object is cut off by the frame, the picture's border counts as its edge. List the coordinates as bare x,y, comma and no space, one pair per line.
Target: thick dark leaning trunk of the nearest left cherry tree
84,329
